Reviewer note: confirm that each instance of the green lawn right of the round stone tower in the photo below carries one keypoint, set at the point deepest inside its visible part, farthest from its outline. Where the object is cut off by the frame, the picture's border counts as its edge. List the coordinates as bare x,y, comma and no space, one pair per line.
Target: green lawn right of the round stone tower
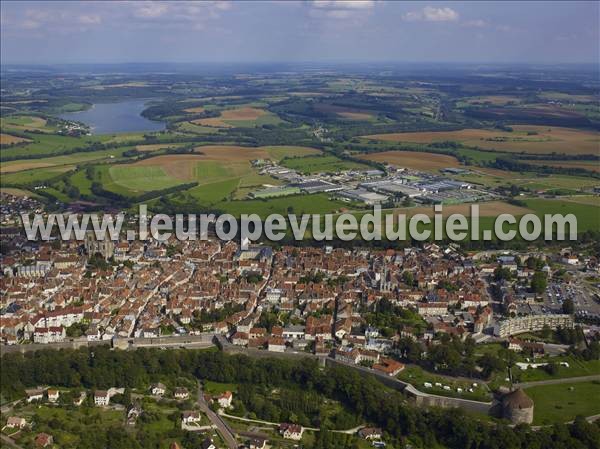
562,402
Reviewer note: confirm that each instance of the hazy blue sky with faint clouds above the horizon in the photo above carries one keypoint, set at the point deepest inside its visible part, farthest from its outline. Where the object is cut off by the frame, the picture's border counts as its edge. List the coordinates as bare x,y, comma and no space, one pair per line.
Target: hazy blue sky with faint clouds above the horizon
50,32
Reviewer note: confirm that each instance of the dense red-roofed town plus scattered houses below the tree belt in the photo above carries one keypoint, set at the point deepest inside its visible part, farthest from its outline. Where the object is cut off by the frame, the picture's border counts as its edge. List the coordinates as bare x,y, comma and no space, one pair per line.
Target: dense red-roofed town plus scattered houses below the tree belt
382,311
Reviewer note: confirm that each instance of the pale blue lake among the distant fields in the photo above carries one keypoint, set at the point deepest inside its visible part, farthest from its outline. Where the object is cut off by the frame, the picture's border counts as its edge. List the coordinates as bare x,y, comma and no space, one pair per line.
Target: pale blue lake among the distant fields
120,117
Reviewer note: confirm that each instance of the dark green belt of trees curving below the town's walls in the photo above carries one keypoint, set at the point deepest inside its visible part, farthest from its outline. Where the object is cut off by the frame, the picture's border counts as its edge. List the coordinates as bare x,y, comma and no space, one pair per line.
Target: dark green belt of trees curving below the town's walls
365,398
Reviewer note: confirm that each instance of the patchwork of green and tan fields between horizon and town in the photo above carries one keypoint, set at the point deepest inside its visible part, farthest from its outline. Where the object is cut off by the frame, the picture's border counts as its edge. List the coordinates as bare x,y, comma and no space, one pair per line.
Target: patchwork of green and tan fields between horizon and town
216,143
